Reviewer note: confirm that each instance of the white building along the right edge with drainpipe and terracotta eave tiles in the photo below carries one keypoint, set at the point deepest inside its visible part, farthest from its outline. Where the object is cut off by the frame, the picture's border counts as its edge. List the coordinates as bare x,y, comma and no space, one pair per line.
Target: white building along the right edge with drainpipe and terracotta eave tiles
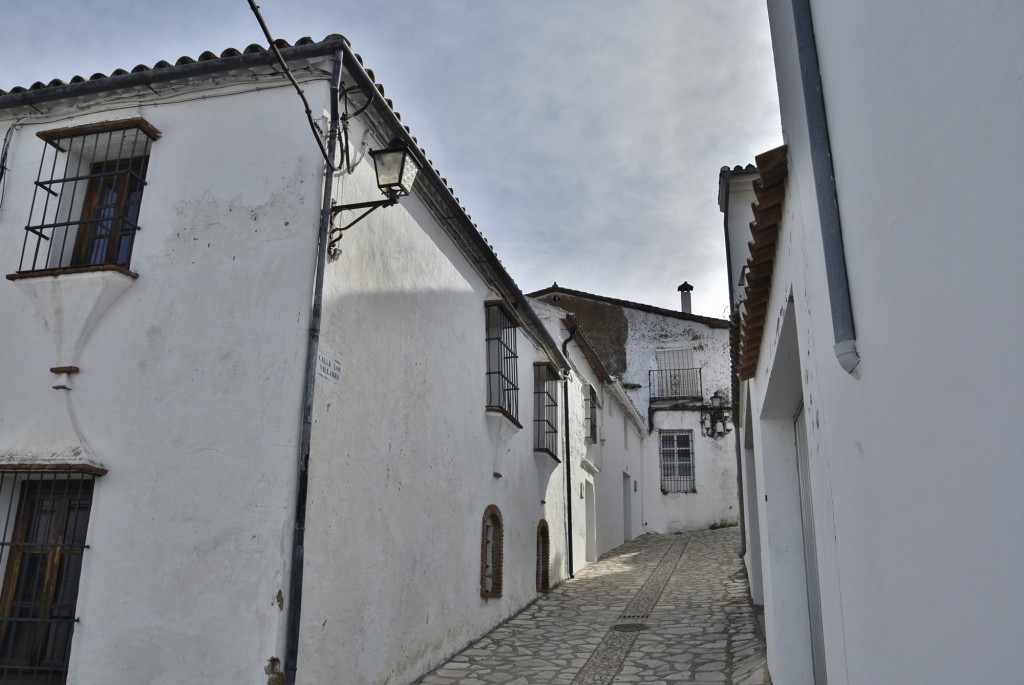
880,374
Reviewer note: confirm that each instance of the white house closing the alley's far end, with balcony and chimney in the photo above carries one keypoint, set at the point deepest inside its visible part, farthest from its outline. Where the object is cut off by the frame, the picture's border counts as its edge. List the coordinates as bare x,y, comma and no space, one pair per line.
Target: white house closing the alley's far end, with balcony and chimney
672,364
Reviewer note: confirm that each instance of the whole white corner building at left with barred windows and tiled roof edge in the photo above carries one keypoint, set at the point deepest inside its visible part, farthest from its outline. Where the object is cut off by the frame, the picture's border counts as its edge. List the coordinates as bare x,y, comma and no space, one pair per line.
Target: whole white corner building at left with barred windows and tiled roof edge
237,458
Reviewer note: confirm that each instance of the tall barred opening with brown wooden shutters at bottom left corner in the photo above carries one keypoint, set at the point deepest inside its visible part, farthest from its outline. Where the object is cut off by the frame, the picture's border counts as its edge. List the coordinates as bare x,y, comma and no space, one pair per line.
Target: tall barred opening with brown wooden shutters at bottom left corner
48,516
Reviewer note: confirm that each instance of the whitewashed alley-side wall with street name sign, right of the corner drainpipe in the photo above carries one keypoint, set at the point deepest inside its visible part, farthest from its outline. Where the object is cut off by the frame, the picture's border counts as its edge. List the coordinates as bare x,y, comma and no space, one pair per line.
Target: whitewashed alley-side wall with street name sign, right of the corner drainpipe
406,459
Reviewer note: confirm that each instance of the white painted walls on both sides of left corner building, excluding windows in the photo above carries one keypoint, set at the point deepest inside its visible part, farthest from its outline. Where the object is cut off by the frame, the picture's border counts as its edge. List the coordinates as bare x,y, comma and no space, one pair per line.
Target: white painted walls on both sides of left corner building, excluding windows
190,389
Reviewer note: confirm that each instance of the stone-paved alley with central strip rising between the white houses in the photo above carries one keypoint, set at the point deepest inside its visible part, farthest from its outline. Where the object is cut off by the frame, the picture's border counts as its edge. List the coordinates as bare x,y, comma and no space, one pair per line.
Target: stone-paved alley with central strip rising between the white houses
658,610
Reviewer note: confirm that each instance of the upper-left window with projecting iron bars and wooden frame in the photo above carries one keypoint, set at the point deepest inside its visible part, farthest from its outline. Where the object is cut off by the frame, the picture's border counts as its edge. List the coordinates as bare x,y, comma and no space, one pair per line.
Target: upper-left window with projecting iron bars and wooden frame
89,193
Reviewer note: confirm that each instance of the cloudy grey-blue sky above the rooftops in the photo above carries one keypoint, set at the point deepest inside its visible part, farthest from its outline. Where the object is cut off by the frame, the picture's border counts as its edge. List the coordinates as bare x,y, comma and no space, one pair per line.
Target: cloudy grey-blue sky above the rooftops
583,137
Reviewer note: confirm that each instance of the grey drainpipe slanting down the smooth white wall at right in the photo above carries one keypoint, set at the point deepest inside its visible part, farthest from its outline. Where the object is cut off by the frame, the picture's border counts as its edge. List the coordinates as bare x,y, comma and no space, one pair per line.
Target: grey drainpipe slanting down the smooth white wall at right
825,186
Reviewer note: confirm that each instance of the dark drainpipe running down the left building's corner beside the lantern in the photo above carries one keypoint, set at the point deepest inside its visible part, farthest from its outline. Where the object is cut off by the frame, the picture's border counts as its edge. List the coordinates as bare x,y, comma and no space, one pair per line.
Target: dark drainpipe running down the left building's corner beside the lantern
298,535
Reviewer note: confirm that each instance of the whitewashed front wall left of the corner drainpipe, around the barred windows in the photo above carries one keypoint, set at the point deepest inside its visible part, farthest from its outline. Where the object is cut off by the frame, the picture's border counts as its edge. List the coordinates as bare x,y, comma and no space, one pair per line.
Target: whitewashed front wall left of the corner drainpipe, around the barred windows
190,388
